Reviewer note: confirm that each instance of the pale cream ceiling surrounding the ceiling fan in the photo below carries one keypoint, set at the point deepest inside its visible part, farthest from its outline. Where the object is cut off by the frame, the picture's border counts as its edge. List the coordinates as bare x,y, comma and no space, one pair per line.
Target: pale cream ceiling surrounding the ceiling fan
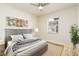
52,7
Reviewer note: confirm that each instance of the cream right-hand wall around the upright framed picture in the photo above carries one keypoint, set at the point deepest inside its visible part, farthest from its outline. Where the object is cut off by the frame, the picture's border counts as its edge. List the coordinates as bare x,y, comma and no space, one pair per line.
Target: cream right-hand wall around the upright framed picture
67,17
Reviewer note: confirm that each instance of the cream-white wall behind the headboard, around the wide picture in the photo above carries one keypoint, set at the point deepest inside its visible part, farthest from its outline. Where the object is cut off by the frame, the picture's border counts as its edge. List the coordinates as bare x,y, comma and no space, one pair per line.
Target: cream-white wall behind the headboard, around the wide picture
6,10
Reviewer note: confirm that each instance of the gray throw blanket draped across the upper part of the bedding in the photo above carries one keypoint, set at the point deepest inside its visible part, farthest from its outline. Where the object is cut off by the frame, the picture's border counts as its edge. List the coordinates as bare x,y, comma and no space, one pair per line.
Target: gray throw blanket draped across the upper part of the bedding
19,44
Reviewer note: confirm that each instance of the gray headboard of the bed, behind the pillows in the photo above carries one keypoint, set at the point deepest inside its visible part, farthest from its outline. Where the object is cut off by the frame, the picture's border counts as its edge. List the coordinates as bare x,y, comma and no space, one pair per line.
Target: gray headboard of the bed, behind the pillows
9,32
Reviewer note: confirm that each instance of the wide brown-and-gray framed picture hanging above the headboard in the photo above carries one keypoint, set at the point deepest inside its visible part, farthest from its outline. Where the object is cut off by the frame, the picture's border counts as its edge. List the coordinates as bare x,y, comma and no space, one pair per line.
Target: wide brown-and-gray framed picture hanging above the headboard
16,22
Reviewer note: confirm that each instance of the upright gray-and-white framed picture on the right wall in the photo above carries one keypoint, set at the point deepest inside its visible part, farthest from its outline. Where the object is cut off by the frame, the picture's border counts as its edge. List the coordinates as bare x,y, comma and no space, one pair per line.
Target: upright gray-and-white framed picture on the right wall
53,25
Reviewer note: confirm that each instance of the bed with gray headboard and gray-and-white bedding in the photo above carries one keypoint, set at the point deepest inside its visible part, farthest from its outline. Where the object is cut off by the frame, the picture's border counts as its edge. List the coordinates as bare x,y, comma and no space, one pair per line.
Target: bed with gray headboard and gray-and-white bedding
24,46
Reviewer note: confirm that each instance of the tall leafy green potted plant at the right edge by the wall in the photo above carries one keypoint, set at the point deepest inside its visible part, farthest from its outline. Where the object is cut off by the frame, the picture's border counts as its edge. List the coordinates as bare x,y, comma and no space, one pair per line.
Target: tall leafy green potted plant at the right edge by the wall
74,35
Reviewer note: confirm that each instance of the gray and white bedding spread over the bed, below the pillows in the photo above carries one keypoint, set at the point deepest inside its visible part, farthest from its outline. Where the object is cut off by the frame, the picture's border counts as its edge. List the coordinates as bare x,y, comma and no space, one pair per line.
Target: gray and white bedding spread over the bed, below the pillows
27,47
